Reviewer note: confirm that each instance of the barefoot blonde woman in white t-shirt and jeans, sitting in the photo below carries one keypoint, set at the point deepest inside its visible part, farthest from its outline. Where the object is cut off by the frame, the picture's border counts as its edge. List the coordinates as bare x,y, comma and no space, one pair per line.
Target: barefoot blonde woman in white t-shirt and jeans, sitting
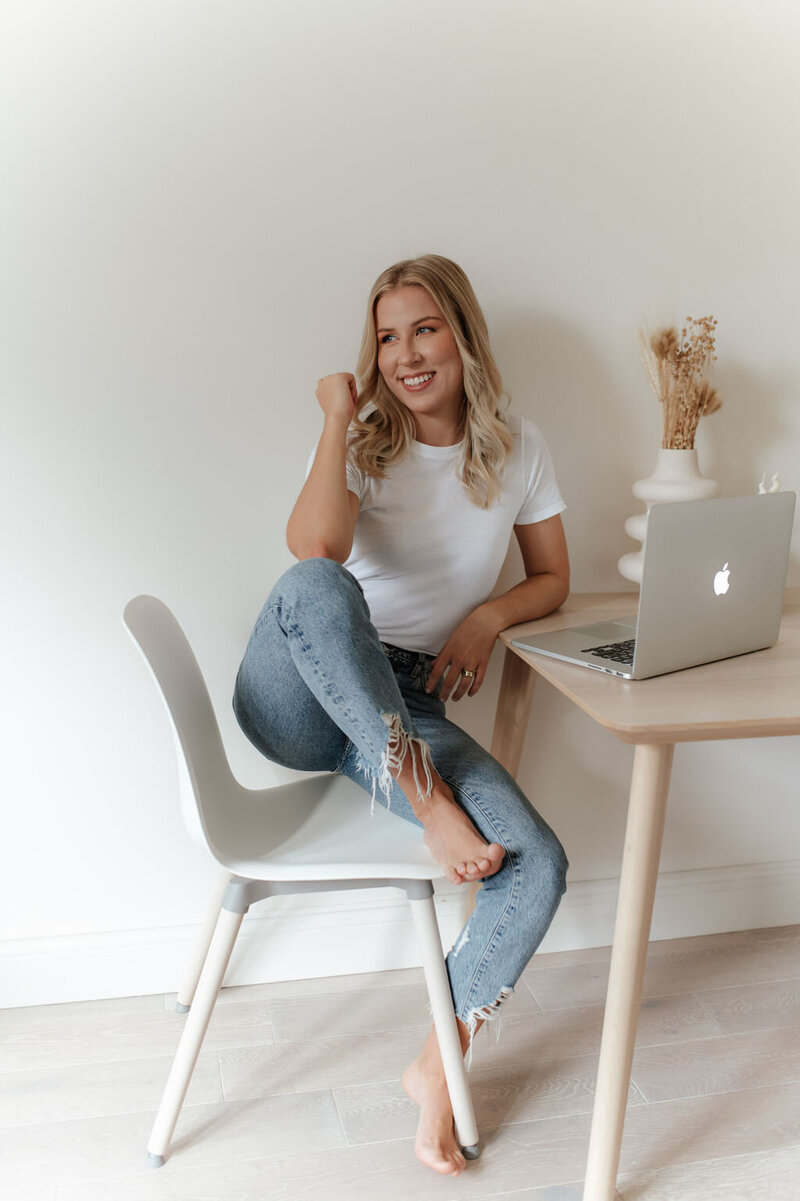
401,533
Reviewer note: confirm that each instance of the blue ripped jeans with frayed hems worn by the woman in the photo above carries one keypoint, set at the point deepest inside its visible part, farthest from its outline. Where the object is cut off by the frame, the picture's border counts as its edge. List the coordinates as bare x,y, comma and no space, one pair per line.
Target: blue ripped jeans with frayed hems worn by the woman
318,691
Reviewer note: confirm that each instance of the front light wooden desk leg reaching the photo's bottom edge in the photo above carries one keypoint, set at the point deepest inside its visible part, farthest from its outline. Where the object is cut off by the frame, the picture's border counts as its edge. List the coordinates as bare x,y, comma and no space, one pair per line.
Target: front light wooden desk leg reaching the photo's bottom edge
647,809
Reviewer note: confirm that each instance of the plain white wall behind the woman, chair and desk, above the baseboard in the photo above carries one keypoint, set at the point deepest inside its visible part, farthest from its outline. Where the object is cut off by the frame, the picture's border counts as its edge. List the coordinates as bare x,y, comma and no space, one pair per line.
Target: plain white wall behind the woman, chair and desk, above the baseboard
196,200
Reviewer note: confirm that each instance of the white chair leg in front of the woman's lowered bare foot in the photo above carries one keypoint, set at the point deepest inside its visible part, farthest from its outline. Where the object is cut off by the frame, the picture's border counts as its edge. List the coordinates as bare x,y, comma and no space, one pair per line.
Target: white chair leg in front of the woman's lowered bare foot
441,1003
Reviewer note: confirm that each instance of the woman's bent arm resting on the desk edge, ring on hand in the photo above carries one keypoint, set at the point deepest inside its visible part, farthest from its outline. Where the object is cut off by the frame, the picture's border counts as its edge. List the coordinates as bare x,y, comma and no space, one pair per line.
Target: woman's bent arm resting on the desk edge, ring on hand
546,587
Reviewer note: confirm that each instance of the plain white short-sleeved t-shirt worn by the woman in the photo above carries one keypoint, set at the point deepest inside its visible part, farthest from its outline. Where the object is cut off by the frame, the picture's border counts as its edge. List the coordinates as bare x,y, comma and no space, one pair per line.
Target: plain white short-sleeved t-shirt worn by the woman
425,554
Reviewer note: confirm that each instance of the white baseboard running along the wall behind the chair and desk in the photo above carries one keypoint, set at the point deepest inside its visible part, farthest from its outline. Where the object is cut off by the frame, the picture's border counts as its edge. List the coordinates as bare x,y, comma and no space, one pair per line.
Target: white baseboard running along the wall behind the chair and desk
349,933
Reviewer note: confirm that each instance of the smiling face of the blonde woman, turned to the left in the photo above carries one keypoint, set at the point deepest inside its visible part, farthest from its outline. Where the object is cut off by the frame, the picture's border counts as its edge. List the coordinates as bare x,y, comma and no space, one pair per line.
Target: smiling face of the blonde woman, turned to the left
420,360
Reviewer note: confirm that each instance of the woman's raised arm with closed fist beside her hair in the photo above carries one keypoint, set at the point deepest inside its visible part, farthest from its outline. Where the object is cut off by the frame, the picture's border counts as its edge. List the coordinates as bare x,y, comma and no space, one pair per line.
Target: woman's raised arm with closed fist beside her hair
324,519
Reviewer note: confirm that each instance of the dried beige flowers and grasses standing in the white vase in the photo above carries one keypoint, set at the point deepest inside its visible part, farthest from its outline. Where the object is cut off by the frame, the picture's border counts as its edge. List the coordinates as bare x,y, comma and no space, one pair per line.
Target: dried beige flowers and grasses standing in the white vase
679,371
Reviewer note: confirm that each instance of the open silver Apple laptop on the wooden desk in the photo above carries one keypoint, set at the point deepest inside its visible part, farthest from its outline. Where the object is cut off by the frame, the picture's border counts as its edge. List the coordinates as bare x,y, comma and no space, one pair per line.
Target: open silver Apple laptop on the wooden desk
713,584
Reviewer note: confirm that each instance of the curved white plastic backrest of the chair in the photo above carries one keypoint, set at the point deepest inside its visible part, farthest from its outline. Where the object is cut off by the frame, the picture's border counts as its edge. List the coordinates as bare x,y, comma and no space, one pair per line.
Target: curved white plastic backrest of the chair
206,778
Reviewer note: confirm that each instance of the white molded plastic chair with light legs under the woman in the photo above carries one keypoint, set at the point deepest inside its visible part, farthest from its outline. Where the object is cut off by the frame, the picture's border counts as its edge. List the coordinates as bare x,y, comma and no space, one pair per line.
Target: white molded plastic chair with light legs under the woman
313,835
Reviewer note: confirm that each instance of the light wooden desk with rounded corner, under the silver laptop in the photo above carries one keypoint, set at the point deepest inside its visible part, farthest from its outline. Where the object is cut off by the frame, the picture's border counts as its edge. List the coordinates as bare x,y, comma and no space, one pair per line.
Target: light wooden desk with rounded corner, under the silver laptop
753,696
